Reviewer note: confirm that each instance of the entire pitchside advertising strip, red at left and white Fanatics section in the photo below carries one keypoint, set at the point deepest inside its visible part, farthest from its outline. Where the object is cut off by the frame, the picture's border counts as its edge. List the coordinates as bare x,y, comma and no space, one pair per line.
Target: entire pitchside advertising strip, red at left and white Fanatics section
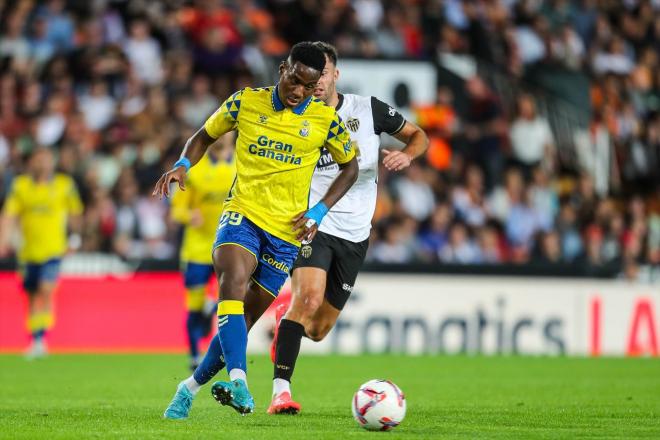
397,313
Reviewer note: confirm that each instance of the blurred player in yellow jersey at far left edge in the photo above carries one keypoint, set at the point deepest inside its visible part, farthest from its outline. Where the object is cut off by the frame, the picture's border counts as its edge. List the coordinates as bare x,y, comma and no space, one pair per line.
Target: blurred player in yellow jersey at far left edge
41,202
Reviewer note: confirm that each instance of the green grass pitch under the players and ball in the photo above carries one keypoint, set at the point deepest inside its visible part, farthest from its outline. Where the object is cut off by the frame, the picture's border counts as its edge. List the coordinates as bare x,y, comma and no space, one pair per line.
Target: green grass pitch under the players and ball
123,397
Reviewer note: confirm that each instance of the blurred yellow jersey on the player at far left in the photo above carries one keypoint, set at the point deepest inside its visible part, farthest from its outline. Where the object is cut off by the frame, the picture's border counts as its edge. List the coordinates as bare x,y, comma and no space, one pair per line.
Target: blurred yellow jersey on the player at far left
42,210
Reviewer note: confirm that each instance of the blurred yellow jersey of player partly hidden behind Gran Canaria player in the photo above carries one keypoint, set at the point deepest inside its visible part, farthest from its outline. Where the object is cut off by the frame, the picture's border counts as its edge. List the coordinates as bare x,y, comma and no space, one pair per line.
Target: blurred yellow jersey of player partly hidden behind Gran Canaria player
207,186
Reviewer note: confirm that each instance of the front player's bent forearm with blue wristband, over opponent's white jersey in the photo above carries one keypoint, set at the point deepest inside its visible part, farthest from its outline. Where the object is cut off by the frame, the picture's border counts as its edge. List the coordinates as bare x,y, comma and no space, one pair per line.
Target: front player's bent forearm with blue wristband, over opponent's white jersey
307,223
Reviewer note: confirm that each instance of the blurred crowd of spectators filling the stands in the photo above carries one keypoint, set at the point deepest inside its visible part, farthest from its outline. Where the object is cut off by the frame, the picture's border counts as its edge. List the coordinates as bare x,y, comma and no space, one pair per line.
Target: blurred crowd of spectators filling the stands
116,87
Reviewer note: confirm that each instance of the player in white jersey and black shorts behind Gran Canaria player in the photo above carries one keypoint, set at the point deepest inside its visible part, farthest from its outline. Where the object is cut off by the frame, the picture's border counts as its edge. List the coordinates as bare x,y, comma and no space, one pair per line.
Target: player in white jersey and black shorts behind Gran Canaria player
326,268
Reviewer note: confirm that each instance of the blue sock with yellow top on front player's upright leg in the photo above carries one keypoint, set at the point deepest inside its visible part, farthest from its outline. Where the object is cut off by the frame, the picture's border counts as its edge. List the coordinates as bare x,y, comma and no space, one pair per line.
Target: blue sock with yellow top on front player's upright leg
232,333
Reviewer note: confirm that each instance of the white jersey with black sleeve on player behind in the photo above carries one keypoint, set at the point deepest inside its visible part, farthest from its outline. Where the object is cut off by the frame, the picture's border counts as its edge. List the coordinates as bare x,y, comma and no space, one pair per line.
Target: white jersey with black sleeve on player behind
365,118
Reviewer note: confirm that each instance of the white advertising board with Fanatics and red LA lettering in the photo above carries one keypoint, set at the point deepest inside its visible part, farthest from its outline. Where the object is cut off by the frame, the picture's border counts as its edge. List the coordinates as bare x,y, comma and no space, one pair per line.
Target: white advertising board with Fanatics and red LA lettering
496,315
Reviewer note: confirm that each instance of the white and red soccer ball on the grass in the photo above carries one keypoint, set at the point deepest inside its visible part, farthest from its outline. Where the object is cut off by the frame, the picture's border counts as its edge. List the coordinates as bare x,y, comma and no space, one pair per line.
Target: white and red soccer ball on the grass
379,405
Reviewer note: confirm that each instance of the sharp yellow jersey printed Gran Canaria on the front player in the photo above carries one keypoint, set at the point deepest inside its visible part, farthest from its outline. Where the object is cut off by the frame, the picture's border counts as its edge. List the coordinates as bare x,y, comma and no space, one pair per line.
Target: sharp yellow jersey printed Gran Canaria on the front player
277,149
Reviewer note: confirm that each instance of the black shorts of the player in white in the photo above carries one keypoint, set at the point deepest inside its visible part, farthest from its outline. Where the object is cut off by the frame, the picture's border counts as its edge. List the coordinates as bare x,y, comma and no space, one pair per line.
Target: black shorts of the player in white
341,259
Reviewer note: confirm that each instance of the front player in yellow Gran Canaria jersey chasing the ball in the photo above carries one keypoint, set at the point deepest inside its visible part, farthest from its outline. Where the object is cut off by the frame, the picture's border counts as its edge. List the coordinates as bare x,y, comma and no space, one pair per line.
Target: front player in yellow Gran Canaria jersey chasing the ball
281,131
